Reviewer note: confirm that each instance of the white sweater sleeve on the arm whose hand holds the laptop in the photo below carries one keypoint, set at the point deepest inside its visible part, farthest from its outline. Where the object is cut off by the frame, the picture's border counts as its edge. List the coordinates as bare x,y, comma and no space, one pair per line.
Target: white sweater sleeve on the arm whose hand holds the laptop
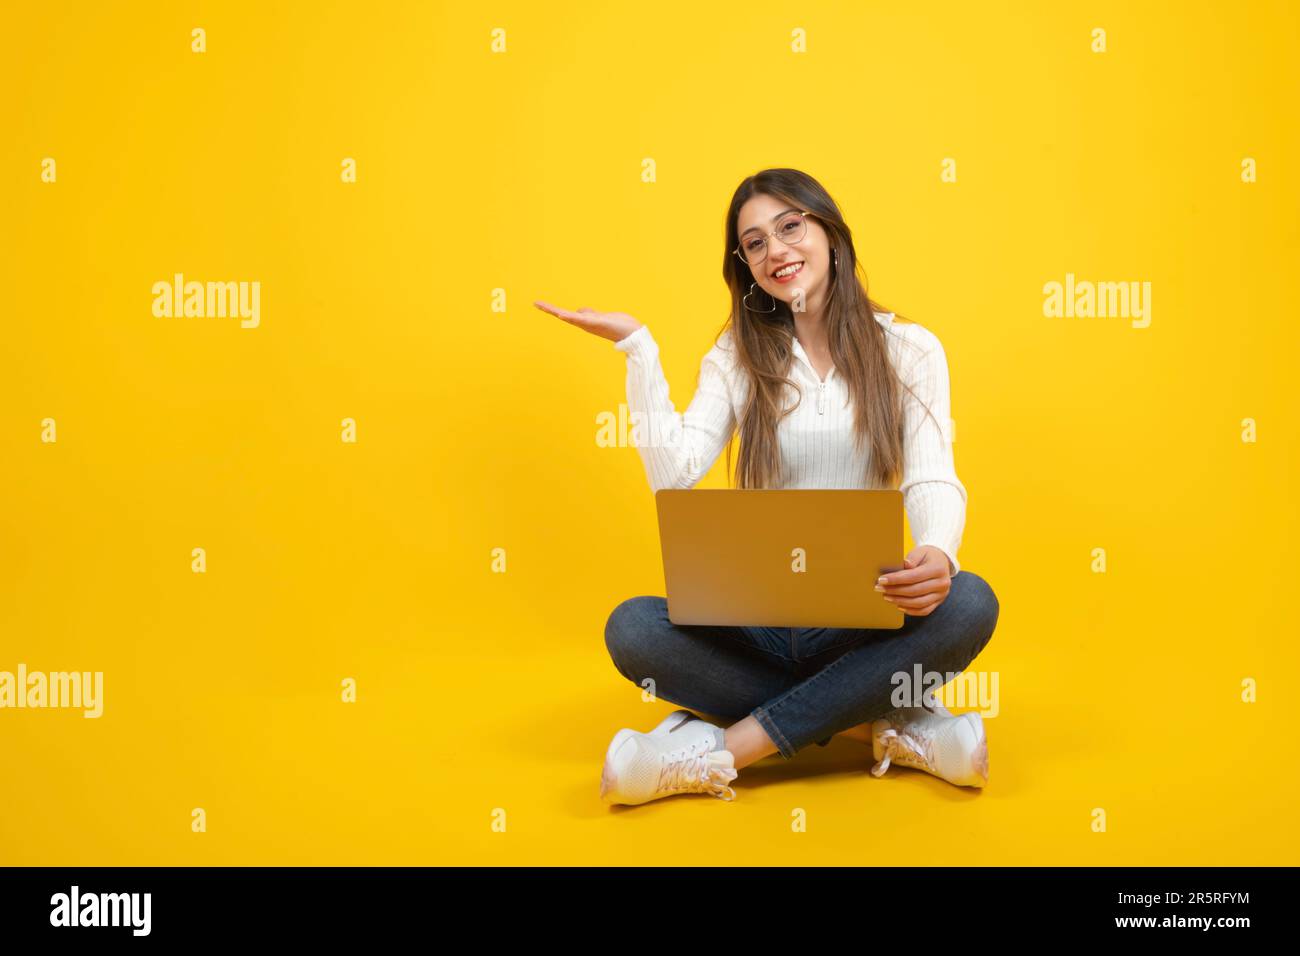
934,496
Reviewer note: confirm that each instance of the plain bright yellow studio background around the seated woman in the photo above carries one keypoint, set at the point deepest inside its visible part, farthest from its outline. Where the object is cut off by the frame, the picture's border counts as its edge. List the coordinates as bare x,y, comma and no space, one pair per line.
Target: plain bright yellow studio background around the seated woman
476,429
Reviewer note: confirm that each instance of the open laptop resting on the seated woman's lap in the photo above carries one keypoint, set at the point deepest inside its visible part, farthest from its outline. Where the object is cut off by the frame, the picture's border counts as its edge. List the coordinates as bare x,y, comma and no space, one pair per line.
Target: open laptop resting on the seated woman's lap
781,557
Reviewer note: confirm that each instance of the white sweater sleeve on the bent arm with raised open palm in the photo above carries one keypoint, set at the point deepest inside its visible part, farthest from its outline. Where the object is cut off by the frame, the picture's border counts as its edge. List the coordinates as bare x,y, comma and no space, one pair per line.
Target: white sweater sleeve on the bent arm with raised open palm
678,449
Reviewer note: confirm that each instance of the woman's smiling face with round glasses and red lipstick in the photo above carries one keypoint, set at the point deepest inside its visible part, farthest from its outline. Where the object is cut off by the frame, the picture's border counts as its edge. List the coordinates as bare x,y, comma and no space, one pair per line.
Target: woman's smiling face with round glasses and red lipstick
804,266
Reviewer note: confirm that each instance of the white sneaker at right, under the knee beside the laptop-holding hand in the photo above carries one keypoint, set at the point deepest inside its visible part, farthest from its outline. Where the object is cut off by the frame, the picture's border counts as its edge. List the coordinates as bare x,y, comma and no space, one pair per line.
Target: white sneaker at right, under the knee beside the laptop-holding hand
952,749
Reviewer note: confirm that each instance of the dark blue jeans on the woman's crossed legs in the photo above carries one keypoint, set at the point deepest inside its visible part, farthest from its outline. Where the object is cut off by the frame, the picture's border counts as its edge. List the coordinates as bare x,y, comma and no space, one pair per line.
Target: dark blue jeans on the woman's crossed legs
803,685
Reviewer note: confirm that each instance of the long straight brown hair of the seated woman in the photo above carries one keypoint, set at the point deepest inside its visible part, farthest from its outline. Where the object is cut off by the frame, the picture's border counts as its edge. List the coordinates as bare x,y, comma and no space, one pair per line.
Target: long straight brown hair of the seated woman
764,344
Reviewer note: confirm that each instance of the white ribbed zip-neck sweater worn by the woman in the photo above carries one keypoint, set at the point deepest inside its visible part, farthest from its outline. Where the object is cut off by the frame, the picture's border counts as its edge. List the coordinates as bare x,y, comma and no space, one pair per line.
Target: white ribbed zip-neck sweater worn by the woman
817,439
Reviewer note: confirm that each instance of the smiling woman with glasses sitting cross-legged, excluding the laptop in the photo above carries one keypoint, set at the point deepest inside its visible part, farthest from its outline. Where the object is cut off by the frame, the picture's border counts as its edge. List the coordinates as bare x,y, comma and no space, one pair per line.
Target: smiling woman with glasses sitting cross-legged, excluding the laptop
826,392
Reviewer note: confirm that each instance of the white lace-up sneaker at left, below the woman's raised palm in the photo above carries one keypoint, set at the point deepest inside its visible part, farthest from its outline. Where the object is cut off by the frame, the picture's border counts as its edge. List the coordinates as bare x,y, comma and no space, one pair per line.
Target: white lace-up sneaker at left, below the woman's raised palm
679,756
